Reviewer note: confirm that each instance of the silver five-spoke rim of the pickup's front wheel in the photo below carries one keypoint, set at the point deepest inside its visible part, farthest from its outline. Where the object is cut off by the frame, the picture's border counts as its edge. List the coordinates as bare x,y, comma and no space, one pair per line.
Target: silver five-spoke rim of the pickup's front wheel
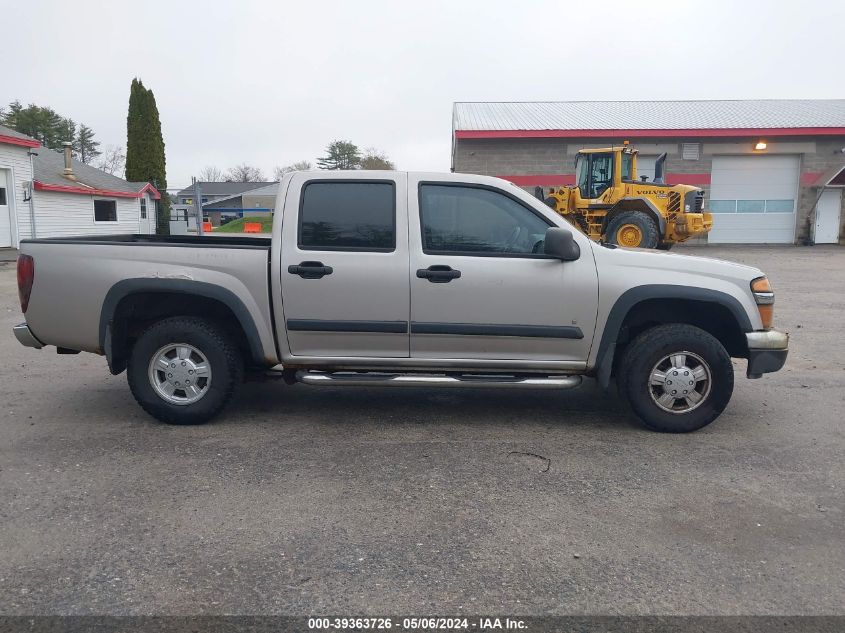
680,382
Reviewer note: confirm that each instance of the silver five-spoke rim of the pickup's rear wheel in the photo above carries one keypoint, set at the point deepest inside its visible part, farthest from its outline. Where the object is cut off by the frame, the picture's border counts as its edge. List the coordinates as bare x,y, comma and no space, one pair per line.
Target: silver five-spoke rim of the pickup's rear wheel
180,374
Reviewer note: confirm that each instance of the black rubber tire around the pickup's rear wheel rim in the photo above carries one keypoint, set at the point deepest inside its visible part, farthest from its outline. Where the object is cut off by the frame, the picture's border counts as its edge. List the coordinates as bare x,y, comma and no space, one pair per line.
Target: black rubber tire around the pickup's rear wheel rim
222,355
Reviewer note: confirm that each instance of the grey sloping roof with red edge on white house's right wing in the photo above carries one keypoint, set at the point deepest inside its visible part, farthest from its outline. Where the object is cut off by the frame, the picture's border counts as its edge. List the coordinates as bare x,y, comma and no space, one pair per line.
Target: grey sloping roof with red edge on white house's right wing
49,176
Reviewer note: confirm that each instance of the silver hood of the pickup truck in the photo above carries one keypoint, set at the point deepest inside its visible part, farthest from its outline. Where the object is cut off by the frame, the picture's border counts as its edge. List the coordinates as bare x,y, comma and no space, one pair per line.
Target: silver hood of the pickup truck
646,259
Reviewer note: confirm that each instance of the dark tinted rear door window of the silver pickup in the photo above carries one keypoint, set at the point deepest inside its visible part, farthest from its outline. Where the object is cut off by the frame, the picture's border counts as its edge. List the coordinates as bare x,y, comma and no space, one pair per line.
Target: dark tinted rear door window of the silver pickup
348,216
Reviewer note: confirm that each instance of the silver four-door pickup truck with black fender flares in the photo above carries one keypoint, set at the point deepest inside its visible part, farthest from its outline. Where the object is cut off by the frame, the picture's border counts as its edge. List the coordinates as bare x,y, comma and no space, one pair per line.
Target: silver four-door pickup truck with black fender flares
402,279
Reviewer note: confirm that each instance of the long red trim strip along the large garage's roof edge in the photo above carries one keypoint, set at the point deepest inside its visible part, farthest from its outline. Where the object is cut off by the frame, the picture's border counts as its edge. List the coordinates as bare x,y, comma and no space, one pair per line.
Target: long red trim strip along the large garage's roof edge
689,133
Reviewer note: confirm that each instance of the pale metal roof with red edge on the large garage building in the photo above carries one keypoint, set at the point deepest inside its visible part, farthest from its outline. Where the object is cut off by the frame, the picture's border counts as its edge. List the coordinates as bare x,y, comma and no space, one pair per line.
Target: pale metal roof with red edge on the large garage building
774,116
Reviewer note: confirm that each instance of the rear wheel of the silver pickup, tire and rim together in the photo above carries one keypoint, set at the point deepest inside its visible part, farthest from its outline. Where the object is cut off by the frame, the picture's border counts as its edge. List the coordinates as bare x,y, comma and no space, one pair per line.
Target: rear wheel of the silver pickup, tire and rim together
184,370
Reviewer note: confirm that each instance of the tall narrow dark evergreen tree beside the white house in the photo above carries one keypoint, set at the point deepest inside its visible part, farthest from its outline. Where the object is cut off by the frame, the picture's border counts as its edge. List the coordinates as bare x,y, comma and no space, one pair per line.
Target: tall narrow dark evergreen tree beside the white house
145,161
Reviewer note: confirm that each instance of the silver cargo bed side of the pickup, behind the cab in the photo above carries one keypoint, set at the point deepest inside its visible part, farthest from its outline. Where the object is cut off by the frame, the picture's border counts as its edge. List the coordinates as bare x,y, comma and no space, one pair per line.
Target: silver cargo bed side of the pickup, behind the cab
79,281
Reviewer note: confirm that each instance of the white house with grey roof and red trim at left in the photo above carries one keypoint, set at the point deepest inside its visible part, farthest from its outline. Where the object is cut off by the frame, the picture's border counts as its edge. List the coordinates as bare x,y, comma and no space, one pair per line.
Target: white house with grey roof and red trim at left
44,193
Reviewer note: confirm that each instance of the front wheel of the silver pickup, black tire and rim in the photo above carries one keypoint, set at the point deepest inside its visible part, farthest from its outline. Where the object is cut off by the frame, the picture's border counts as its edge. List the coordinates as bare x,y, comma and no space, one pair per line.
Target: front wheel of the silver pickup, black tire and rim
649,351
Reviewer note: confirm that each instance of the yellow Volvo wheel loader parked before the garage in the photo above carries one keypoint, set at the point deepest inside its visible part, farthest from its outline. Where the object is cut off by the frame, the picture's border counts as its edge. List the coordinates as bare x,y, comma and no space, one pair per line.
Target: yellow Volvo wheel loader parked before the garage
610,204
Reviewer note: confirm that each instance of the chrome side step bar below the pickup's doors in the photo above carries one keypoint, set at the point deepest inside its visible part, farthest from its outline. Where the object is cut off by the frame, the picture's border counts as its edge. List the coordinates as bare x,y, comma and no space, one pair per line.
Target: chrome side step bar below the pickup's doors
357,379
